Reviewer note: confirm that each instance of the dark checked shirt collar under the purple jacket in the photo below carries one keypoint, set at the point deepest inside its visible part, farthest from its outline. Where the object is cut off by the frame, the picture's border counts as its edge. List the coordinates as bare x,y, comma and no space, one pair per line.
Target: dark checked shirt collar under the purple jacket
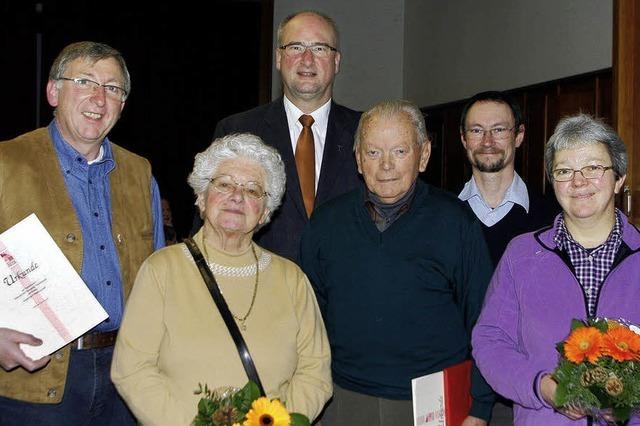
591,265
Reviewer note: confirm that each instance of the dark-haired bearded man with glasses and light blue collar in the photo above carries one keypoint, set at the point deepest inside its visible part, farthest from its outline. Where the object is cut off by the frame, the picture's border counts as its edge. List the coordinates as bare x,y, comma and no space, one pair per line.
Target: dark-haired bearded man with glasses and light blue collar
491,129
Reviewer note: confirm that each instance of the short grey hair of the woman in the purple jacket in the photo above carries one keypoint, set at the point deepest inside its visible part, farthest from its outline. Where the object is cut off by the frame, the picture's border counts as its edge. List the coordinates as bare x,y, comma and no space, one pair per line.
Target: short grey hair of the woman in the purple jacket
582,130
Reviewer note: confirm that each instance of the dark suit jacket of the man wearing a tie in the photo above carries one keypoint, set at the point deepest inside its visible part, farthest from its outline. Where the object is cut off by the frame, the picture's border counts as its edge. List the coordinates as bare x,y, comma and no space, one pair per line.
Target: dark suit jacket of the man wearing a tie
338,173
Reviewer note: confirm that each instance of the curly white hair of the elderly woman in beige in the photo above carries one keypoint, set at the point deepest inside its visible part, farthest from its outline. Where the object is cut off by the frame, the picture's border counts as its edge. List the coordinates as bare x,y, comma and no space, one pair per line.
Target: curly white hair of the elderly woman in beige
239,146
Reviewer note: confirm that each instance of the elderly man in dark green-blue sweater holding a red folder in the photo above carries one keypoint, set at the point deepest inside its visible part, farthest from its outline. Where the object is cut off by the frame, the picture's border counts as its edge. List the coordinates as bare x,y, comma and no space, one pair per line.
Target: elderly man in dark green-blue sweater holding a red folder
400,269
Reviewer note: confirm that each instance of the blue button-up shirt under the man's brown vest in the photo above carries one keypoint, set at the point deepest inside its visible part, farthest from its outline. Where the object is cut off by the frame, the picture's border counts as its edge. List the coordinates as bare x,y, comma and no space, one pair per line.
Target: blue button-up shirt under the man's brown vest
90,192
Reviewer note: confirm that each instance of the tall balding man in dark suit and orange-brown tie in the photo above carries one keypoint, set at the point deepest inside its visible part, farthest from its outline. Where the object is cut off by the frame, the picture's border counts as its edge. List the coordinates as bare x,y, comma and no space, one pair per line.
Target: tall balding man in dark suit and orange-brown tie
308,59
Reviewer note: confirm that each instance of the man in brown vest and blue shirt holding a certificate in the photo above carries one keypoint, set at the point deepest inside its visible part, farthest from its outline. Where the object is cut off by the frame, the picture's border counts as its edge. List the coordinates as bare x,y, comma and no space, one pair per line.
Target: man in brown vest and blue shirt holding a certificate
101,205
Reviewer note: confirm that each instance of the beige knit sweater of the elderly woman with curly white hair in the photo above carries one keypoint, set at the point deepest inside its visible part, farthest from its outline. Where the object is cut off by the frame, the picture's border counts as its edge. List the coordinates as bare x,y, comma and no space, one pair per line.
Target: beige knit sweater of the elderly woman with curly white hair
172,336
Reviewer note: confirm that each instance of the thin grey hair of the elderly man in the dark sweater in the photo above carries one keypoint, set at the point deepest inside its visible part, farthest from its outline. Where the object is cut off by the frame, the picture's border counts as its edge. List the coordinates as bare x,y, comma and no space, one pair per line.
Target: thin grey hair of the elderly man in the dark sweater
391,110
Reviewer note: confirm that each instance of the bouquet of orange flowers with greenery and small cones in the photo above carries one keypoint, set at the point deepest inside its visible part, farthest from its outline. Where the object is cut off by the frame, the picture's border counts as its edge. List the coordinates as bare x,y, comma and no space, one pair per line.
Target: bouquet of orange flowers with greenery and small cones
599,369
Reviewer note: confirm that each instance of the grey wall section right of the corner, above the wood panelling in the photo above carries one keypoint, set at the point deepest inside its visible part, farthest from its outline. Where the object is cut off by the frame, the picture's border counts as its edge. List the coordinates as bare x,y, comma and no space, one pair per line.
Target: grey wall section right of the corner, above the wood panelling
454,49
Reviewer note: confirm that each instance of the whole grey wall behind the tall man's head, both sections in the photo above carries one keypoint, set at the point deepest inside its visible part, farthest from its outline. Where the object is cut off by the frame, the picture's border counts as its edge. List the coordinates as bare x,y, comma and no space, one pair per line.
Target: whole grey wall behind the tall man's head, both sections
437,51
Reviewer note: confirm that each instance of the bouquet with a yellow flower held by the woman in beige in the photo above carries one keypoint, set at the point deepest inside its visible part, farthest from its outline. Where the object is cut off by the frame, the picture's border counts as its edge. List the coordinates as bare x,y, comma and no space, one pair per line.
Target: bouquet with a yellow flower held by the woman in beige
242,407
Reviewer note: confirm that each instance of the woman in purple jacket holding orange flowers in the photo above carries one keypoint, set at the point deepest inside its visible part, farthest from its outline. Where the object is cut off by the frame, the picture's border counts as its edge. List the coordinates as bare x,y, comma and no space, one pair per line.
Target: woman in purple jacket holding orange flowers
586,265
